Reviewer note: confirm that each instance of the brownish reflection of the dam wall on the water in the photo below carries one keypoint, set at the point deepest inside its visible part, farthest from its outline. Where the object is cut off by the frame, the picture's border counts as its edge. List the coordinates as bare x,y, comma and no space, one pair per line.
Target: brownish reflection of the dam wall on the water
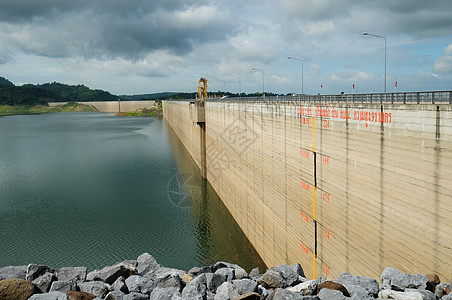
218,235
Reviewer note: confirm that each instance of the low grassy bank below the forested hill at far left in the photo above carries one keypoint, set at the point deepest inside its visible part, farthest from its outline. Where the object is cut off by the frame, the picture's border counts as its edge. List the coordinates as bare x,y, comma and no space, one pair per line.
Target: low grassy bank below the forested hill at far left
38,109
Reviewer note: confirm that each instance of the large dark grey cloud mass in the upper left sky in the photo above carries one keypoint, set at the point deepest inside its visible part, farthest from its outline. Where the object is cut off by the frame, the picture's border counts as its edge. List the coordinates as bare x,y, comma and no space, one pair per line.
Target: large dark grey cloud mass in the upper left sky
112,28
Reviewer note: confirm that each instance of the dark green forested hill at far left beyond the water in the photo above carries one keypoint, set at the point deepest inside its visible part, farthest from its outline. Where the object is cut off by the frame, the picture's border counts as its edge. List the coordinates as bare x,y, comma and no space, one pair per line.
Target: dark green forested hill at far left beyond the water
30,94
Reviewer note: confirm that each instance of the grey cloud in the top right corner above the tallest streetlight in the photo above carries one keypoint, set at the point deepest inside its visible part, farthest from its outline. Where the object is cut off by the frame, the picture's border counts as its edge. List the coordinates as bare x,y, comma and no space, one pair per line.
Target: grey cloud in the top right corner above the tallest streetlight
419,19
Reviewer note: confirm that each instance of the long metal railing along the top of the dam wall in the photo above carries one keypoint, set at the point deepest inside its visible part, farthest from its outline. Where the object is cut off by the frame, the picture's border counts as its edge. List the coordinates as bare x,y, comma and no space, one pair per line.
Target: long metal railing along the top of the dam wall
432,97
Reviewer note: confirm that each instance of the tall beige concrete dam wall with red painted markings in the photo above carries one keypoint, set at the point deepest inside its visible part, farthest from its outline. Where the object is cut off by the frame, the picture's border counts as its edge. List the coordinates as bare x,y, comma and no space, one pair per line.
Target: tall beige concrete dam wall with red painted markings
337,187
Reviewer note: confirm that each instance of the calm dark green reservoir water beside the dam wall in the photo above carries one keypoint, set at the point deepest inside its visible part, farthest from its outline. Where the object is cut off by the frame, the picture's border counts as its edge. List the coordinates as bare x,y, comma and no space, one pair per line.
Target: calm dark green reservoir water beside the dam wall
92,189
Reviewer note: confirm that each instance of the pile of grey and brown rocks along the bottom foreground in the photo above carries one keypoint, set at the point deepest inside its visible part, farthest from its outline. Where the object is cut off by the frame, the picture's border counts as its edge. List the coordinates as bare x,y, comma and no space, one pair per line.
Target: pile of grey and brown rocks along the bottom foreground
144,278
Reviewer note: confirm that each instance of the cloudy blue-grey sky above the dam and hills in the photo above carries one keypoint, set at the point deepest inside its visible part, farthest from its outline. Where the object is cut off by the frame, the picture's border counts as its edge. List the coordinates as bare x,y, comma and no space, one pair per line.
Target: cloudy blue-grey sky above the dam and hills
149,46
